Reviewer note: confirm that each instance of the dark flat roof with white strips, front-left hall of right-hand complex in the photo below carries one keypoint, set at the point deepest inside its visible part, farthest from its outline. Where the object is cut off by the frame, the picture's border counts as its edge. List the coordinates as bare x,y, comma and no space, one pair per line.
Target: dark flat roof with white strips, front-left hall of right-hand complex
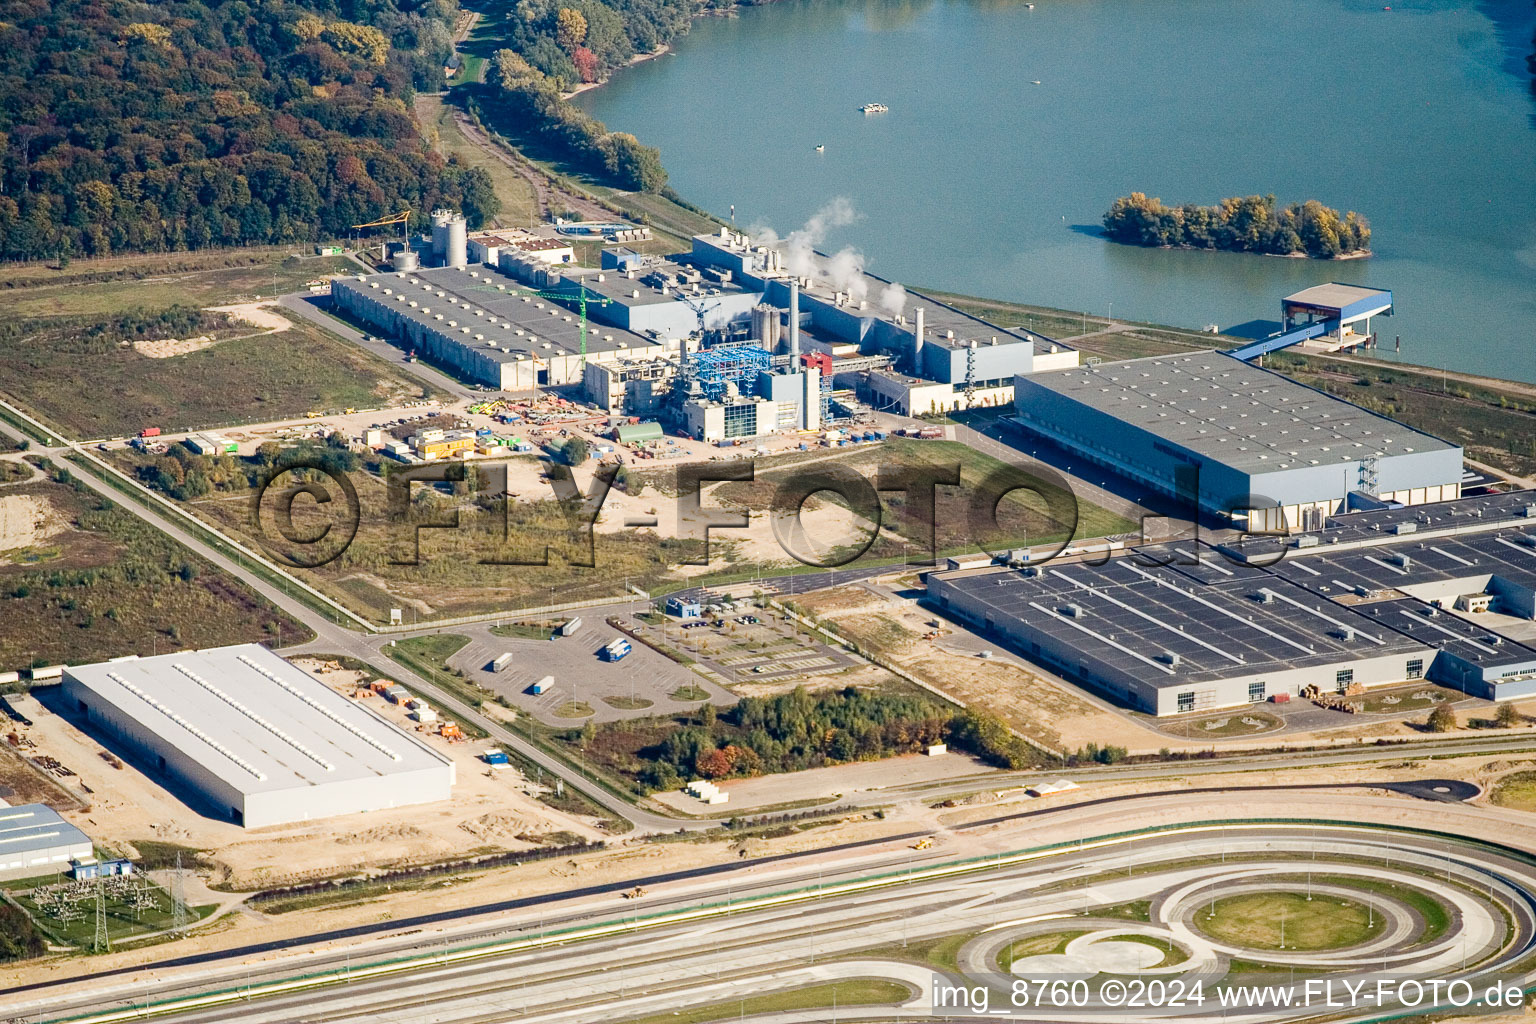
1133,616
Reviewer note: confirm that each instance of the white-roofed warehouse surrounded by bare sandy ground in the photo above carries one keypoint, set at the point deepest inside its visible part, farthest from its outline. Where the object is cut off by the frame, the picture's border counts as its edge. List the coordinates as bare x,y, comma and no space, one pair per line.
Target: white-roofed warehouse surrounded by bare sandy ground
254,741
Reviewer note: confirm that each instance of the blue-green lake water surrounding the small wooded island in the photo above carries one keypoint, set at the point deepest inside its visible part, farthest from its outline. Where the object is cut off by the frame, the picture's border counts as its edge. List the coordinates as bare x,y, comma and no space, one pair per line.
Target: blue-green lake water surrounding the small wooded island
981,182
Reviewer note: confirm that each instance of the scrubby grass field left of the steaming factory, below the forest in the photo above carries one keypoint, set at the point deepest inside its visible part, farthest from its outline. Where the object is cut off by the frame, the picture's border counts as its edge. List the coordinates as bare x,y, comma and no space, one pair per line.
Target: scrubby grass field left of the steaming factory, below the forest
247,380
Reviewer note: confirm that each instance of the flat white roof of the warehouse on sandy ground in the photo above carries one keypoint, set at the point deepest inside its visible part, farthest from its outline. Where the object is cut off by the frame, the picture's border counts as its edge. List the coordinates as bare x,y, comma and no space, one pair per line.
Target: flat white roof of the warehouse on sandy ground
256,721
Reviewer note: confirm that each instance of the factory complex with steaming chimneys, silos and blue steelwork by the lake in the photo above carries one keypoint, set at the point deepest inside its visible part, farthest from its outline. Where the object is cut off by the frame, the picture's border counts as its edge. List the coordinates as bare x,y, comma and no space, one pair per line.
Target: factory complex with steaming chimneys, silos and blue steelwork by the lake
724,342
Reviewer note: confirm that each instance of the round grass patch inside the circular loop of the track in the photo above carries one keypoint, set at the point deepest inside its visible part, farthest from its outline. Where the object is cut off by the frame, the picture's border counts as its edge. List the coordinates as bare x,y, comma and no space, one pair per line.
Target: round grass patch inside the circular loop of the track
1288,920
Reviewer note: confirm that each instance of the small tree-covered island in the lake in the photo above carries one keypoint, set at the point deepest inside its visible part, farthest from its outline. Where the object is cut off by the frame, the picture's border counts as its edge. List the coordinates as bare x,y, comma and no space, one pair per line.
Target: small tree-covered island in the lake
1253,223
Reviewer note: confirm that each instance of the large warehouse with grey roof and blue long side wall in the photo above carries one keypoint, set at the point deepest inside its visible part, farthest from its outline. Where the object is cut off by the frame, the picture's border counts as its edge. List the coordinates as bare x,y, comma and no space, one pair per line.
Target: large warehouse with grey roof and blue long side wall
1230,432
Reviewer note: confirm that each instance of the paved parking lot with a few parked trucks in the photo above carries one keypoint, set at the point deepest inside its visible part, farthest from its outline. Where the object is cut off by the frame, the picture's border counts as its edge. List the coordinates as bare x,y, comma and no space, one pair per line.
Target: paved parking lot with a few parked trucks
643,684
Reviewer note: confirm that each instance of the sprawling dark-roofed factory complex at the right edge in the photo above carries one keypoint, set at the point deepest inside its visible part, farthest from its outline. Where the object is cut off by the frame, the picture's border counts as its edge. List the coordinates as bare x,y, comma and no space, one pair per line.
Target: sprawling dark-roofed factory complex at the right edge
1442,593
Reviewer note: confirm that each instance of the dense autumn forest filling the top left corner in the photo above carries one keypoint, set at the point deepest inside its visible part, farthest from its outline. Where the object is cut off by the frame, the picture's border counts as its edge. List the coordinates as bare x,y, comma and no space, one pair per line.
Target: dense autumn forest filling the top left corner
191,124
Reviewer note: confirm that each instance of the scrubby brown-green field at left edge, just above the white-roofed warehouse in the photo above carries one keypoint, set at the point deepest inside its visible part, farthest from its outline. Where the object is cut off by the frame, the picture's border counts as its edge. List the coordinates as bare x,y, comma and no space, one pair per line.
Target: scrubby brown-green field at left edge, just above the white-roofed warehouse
114,587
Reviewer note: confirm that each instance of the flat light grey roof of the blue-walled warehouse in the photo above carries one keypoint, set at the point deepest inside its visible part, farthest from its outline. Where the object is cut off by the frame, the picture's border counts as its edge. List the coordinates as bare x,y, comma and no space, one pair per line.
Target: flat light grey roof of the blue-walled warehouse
1236,414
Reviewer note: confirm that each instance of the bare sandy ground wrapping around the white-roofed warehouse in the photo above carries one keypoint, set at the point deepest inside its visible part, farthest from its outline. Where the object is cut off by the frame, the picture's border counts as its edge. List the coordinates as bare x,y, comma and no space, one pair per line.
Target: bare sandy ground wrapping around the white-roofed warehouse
491,811
